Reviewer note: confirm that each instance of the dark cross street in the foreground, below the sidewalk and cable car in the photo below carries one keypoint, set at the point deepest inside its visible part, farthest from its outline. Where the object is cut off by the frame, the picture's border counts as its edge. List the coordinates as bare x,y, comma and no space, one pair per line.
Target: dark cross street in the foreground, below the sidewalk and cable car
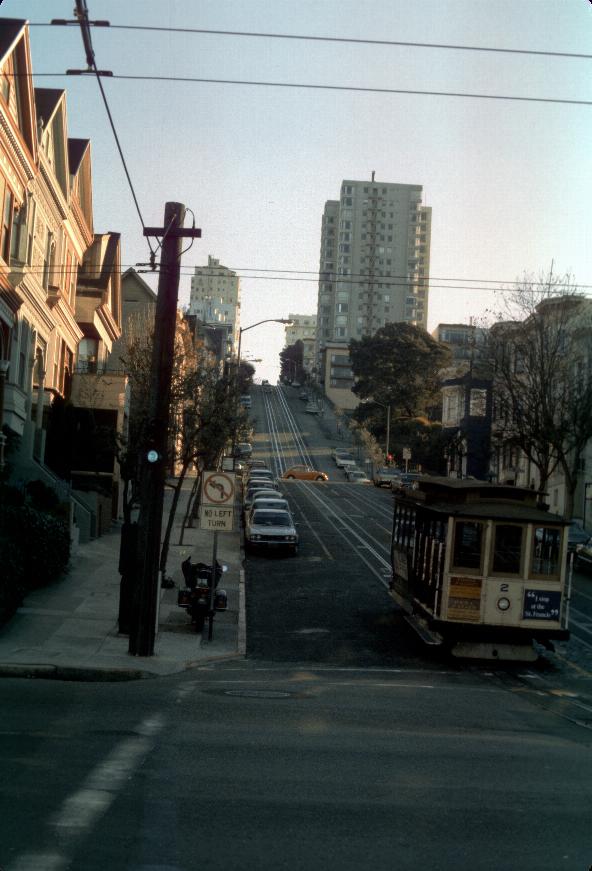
254,766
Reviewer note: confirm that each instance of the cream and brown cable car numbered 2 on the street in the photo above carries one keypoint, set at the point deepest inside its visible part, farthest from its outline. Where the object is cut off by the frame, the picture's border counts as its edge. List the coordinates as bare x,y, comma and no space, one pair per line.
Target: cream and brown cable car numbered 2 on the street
480,567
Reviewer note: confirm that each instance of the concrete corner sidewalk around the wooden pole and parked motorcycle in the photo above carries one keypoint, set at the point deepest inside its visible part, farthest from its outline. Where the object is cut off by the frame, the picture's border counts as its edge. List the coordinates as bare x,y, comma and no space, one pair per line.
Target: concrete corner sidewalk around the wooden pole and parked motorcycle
68,630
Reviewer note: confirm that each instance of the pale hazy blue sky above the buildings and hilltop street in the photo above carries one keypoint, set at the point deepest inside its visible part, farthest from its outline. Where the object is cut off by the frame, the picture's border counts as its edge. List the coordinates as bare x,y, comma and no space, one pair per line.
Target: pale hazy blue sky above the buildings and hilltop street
509,182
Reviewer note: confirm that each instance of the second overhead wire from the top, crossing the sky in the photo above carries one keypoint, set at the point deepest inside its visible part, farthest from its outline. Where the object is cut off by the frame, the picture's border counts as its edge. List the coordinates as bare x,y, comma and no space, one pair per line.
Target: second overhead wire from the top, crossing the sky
321,87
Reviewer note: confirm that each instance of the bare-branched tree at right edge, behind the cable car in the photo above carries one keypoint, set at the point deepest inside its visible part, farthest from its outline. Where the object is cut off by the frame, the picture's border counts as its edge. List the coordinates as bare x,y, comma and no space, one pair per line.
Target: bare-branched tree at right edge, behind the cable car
542,381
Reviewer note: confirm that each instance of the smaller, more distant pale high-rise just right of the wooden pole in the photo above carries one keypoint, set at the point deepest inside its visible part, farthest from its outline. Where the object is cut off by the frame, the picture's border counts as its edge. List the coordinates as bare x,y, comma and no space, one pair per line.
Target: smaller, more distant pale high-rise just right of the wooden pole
215,298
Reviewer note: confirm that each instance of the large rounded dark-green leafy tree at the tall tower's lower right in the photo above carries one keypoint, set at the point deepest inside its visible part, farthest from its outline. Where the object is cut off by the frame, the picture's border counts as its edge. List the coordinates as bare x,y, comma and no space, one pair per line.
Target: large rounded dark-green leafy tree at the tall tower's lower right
398,366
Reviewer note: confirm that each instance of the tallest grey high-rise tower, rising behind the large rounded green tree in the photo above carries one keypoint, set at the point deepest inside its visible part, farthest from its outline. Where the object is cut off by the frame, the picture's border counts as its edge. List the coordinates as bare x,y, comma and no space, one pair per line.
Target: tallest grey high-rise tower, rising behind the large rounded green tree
374,260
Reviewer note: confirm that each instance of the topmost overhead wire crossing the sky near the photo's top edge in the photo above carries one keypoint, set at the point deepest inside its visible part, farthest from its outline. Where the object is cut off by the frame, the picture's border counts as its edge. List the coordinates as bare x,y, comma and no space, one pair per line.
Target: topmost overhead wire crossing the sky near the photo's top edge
328,39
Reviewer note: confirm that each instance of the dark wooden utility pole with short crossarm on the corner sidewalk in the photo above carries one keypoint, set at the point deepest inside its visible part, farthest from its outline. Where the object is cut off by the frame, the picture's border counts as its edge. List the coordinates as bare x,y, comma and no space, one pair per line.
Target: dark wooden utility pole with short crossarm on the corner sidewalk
153,461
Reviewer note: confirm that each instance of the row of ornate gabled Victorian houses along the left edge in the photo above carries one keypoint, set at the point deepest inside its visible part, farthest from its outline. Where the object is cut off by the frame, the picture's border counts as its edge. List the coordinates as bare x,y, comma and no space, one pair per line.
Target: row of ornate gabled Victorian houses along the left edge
60,303
